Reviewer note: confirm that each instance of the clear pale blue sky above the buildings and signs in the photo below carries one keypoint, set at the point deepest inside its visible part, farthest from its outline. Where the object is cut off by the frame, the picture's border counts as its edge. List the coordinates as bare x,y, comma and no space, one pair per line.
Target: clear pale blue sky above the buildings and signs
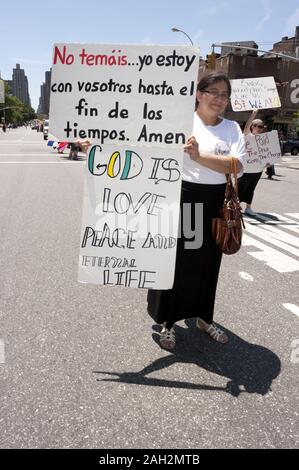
30,28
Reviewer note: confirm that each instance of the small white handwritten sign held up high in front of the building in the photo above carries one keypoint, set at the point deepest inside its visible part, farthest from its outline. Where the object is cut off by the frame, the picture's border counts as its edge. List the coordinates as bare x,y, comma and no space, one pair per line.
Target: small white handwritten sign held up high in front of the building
254,93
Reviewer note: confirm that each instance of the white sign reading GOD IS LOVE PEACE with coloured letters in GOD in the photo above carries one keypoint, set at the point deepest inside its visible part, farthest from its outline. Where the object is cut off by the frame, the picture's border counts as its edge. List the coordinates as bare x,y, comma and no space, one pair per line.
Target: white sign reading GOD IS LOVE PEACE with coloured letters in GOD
130,216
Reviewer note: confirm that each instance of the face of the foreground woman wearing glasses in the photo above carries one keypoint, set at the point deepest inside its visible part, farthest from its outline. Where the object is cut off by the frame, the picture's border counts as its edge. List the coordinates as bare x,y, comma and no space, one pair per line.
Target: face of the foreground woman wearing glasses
214,98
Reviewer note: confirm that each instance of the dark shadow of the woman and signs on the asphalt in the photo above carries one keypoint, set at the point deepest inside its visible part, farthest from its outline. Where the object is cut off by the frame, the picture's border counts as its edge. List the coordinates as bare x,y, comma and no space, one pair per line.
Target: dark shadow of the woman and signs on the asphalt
250,368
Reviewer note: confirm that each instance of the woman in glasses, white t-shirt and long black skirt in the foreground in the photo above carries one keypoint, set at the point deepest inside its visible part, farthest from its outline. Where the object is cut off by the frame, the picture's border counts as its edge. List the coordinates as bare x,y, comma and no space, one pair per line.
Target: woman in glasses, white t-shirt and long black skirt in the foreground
205,163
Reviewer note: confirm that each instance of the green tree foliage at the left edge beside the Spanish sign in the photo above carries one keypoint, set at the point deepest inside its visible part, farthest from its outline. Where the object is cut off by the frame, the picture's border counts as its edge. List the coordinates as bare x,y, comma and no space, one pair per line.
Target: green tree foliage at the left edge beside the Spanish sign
18,112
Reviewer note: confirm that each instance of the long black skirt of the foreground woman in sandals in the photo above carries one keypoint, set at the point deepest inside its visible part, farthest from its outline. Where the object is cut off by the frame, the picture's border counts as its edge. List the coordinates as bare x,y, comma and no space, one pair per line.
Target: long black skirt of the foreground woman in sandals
196,271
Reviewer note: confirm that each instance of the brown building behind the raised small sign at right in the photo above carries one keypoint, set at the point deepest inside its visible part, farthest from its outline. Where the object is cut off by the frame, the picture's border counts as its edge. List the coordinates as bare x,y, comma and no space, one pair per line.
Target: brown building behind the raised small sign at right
242,63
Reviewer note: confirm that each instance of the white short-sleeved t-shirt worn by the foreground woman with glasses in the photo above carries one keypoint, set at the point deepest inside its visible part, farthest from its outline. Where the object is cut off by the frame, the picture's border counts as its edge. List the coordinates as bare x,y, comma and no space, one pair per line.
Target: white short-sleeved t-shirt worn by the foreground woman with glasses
225,138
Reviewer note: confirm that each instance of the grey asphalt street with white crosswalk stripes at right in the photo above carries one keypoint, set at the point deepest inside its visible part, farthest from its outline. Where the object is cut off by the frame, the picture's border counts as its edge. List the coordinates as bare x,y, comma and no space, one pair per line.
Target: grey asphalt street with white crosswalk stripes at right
80,364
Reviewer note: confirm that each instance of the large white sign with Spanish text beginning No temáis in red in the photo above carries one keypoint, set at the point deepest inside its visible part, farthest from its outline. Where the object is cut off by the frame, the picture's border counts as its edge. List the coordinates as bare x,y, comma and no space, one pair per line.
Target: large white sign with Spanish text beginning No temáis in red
142,95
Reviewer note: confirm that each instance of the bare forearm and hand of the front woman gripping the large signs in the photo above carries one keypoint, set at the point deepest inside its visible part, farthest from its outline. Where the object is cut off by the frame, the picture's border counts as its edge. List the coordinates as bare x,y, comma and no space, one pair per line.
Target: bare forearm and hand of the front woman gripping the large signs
217,163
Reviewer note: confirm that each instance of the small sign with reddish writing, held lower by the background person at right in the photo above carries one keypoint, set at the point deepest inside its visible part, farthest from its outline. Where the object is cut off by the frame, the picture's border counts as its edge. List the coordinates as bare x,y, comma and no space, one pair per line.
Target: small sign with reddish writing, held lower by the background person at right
261,149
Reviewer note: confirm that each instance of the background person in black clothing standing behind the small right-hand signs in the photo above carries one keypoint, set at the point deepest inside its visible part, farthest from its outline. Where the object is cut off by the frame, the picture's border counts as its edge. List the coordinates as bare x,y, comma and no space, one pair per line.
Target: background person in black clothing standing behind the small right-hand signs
249,181
